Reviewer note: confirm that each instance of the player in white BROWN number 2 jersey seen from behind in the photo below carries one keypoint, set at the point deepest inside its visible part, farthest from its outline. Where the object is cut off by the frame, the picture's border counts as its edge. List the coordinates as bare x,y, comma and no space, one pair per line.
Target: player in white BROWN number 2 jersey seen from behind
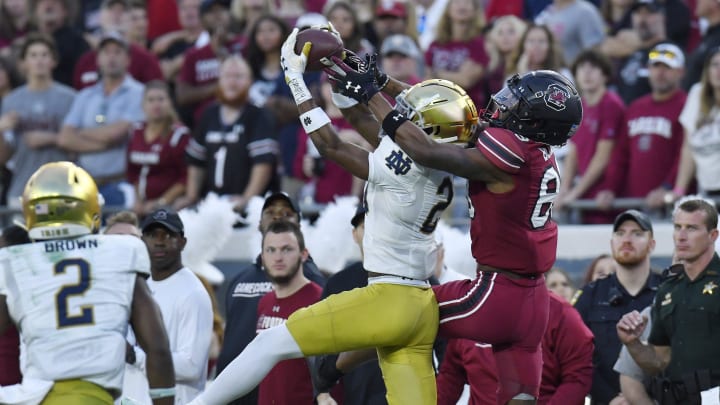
72,294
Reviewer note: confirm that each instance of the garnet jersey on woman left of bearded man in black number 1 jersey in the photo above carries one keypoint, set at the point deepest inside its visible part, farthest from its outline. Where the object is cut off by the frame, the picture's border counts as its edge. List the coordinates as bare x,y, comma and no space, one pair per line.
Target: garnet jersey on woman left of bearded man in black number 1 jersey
156,166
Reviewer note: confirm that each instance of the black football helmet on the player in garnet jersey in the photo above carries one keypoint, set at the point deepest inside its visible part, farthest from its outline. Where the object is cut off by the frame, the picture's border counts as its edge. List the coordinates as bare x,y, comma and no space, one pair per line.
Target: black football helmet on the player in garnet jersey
541,105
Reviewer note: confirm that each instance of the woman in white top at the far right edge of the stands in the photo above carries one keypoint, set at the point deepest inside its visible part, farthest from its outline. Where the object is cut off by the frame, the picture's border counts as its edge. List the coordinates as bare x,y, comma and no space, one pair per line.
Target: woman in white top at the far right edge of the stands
701,119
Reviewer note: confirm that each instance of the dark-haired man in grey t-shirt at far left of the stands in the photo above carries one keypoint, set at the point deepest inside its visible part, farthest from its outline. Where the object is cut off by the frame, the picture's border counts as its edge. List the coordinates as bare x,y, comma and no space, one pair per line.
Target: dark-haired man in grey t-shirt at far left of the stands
36,112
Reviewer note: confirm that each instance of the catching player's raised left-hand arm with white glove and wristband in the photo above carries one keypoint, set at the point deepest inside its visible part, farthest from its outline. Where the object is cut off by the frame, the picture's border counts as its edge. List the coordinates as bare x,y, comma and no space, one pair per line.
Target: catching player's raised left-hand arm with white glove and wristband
313,119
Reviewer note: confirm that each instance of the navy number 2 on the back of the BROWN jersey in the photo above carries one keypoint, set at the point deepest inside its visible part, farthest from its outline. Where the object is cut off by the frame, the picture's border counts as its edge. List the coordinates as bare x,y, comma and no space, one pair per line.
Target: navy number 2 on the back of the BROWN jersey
85,317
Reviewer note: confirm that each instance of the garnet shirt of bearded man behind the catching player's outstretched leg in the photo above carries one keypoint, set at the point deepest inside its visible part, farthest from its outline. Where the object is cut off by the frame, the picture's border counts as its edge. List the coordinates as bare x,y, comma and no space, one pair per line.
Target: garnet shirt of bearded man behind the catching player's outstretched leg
289,381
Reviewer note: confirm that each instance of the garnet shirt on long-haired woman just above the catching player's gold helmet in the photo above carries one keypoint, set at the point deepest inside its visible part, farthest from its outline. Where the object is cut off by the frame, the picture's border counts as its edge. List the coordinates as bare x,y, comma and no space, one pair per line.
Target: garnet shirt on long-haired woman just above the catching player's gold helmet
449,56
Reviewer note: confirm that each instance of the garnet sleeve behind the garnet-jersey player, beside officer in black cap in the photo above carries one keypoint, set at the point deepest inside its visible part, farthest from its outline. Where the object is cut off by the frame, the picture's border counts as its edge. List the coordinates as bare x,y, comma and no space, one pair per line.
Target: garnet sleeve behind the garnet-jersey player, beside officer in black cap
574,343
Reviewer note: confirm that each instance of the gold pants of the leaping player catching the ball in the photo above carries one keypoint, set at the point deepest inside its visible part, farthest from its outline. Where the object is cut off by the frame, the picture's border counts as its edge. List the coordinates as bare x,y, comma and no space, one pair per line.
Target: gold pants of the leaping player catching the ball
399,320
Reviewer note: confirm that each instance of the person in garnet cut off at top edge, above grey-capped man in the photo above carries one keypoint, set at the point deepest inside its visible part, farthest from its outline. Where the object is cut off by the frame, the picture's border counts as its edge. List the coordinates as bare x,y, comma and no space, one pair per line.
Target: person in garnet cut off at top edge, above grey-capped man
392,17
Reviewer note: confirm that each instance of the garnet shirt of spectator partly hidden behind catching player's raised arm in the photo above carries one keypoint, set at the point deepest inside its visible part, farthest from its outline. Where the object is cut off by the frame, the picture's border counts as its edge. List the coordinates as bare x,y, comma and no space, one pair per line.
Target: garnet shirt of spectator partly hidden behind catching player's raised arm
334,181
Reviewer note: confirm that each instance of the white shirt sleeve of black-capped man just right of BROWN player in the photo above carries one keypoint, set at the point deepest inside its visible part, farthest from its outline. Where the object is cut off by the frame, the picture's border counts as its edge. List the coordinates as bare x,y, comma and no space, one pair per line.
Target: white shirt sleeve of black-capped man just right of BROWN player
192,347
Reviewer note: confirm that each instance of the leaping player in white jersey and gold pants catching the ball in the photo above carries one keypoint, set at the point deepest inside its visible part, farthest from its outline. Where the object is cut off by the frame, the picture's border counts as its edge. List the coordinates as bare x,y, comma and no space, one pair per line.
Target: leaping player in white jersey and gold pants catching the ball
396,313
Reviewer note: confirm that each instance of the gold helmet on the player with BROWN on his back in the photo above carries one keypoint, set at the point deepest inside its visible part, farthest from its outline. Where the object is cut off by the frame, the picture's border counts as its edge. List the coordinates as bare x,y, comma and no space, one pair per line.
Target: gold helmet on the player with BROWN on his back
61,200
